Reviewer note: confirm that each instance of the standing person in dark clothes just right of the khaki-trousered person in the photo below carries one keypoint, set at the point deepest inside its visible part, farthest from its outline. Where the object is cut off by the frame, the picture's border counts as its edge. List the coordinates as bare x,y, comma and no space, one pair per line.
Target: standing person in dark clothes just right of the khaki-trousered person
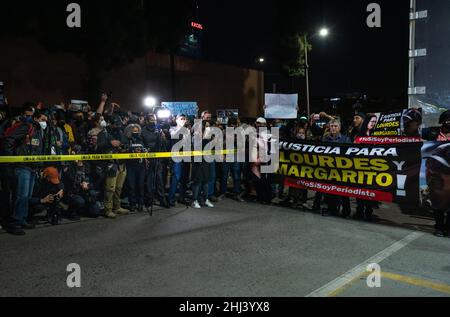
136,168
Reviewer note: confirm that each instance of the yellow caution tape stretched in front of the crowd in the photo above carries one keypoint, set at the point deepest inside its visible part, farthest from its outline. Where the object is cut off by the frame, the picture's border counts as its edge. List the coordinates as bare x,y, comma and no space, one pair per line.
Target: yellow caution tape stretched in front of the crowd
106,157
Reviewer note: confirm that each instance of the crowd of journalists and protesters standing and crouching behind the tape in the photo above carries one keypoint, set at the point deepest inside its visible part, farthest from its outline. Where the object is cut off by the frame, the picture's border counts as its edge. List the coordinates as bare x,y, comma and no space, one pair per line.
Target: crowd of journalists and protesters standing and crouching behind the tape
117,187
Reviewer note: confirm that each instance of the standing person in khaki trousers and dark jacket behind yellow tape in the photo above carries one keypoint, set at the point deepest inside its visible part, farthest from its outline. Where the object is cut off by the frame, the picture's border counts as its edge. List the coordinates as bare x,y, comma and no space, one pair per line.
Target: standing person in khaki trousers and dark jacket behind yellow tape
111,140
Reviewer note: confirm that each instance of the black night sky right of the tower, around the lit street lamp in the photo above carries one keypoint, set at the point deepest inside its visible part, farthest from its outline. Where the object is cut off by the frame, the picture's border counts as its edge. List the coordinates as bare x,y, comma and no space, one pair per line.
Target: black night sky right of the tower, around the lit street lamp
354,58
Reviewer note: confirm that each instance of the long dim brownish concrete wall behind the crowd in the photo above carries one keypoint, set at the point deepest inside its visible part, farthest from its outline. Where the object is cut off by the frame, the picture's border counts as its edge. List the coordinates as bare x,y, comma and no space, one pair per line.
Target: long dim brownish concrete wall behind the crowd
32,74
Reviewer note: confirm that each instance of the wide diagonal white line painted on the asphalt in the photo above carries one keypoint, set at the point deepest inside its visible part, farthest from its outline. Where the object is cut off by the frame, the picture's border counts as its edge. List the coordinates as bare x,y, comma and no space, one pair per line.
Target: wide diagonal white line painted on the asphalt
354,273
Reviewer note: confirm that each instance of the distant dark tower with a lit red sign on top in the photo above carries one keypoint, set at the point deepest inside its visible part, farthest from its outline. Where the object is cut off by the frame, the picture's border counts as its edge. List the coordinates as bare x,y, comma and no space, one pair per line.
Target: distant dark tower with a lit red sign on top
192,43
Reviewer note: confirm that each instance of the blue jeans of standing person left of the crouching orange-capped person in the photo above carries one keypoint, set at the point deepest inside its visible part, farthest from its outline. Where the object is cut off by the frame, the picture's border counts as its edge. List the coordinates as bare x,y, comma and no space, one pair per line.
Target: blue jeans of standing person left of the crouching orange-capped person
25,179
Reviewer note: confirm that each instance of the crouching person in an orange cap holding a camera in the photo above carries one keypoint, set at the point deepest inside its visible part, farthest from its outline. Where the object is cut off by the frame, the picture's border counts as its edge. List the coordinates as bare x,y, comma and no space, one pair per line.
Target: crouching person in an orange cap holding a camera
48,196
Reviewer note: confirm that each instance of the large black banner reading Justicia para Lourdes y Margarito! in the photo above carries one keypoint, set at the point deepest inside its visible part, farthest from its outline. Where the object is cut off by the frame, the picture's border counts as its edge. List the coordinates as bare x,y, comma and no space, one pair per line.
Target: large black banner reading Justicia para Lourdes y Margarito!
388,173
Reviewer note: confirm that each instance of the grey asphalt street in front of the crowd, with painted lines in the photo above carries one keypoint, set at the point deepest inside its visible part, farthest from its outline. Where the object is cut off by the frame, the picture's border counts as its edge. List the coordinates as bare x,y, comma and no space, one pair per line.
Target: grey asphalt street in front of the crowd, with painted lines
233,250
